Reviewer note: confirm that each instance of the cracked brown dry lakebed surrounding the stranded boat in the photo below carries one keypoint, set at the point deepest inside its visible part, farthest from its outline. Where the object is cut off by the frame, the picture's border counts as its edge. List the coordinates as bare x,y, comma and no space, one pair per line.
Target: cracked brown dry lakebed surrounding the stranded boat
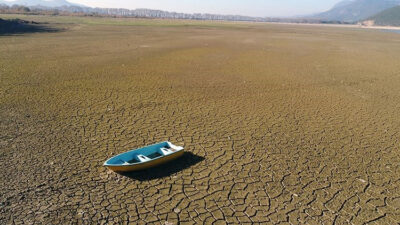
282,124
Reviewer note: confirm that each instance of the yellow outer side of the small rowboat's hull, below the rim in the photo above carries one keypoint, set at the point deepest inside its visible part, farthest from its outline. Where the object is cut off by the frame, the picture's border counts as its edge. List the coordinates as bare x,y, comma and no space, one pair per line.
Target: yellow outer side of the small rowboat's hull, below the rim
146,165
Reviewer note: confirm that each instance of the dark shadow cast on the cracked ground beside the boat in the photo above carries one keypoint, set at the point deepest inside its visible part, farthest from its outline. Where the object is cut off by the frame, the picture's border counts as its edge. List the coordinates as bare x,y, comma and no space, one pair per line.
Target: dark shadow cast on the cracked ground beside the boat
187,160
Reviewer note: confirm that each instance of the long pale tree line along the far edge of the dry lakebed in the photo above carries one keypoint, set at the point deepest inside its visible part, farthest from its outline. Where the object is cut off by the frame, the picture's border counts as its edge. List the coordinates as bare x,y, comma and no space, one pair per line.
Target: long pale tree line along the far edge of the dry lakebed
142,13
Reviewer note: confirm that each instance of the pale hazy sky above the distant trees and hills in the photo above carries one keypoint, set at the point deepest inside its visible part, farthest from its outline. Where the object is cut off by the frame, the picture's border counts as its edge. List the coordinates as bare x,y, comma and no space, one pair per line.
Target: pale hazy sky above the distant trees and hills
242,7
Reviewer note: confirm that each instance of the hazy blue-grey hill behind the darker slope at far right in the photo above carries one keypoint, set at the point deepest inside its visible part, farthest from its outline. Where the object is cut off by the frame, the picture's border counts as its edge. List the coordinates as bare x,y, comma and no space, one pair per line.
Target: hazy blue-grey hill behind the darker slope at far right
356,10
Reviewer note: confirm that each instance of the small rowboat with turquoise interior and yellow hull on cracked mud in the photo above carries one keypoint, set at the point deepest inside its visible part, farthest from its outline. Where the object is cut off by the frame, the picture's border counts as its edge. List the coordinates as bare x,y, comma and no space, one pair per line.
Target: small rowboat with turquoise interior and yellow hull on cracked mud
144,158
